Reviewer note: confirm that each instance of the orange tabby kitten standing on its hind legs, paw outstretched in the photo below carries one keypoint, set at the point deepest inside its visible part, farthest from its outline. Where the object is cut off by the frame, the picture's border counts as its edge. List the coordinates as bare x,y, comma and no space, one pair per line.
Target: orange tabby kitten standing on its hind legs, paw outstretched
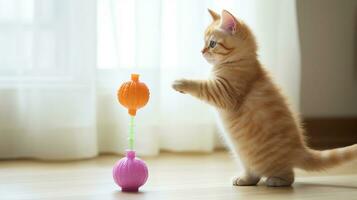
265,133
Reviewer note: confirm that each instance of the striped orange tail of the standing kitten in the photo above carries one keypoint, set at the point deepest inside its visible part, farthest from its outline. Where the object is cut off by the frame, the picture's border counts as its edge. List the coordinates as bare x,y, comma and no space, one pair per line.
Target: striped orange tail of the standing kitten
313,160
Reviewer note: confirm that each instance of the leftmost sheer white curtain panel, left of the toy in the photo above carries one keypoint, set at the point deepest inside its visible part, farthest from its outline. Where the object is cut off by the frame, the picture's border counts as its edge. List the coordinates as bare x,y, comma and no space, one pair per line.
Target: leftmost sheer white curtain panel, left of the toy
48,102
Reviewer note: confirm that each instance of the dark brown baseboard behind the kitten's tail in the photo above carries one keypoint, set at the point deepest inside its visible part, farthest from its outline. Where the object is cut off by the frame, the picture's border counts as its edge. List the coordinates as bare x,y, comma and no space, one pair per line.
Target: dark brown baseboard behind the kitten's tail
324,133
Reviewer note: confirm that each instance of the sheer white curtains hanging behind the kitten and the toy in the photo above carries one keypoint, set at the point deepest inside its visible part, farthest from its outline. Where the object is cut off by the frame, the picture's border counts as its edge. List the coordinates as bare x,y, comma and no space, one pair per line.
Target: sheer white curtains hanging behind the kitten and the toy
61,63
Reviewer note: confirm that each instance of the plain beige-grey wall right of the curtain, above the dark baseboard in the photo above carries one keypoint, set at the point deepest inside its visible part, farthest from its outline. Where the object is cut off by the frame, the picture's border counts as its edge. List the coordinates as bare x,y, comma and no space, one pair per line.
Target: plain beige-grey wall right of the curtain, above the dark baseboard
328,34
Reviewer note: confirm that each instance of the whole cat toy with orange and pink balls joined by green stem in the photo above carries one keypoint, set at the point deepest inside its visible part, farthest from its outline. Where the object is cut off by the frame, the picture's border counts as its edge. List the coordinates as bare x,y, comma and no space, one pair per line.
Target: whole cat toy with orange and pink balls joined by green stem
130,172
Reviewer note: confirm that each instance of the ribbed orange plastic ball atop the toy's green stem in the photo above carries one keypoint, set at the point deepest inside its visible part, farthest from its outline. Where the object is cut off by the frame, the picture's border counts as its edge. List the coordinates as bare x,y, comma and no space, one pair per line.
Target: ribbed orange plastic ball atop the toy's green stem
133,94
